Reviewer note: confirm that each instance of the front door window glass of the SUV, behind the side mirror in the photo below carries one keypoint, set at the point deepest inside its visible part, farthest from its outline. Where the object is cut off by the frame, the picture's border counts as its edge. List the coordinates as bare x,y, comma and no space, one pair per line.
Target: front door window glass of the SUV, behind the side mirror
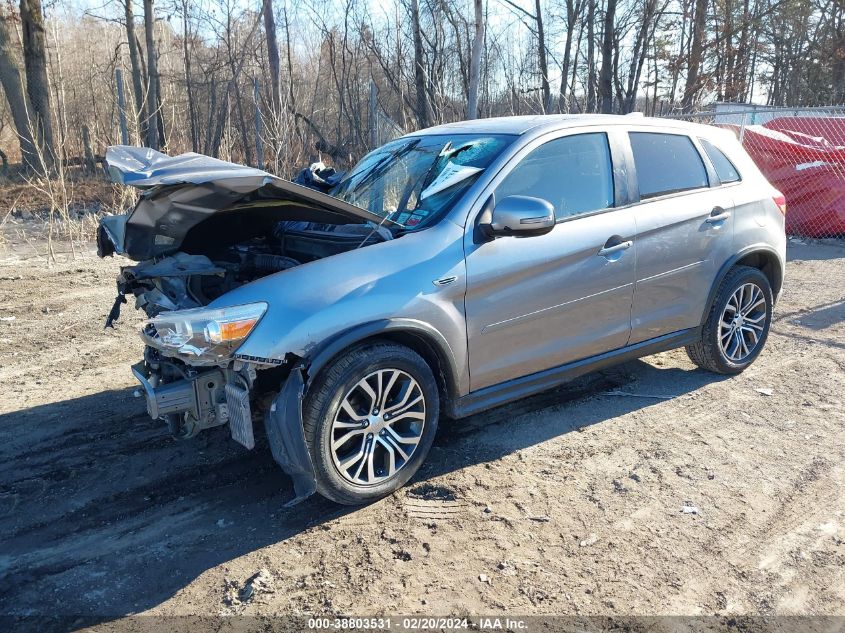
573,173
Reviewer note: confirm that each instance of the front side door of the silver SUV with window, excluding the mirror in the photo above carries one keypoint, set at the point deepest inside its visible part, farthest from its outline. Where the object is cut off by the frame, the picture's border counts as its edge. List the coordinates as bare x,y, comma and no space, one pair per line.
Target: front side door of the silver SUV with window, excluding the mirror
533,303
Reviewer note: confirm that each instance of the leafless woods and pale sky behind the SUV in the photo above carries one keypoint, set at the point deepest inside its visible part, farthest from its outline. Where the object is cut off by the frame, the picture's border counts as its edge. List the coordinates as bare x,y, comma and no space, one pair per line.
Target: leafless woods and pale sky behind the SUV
284,82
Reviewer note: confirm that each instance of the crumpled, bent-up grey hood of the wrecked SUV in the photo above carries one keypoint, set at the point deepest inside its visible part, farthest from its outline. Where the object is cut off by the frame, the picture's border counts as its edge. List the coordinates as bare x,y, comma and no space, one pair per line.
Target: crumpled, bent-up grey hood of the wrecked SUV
181,192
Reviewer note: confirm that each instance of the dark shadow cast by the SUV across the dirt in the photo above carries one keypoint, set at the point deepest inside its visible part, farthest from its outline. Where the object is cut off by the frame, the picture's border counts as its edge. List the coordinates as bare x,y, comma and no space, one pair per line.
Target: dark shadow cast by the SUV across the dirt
103,514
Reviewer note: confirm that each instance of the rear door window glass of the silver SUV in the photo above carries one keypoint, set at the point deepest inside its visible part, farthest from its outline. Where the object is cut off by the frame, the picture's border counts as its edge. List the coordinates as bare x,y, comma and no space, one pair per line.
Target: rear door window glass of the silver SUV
666,163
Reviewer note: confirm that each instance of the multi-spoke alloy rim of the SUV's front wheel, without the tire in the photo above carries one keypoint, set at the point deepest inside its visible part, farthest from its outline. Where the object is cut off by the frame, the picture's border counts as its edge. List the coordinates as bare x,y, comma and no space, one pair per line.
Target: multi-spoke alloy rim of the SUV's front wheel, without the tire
377,427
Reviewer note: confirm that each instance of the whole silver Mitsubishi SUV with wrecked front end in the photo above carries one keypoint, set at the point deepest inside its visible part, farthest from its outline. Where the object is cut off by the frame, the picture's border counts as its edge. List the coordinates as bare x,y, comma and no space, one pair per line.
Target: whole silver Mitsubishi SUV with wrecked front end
452,270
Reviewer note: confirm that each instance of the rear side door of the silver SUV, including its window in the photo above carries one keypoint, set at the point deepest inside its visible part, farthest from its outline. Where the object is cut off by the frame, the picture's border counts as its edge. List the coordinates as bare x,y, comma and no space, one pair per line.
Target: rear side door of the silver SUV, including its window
684,227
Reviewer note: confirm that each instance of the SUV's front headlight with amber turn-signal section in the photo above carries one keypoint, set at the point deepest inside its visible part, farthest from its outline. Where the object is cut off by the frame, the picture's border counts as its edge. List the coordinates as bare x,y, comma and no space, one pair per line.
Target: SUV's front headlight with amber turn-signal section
203,333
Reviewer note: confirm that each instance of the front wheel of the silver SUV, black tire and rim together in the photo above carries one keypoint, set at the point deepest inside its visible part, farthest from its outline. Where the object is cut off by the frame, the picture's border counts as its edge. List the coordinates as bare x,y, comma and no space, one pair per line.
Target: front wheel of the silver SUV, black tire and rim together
369,420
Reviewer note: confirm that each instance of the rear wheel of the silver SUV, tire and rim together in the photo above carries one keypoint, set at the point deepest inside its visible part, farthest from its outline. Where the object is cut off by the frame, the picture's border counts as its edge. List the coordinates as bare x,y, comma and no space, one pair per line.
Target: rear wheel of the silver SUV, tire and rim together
737,323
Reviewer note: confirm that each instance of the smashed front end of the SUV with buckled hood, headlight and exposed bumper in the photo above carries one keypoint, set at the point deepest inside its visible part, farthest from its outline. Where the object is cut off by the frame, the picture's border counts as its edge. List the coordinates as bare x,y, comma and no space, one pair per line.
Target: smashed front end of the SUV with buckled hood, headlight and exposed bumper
202,228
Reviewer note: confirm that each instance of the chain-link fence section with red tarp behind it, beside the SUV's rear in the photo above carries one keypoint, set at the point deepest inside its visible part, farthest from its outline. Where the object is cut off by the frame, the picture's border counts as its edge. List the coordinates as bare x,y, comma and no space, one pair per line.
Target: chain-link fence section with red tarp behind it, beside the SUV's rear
802,153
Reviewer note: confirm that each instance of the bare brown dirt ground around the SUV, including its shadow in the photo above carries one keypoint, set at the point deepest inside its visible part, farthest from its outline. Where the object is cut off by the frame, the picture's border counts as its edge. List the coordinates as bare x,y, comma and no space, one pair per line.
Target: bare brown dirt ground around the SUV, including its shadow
566,503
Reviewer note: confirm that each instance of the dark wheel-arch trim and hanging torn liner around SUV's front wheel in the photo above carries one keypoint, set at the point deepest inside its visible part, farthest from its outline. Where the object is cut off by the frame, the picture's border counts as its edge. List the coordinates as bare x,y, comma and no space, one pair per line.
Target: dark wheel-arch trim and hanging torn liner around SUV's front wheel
284,425
